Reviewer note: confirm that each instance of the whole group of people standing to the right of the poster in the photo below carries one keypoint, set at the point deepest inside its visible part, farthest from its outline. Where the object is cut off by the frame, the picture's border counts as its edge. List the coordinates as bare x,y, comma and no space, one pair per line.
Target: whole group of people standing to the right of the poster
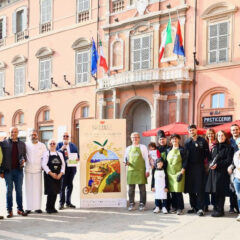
208,169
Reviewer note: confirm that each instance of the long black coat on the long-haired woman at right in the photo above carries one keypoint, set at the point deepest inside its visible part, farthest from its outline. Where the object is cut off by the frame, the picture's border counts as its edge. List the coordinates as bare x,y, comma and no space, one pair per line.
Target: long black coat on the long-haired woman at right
218,180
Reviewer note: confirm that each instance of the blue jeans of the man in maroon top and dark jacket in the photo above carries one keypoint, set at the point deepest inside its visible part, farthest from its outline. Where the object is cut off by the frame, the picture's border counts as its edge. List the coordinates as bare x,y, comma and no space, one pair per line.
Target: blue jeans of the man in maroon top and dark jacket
14,176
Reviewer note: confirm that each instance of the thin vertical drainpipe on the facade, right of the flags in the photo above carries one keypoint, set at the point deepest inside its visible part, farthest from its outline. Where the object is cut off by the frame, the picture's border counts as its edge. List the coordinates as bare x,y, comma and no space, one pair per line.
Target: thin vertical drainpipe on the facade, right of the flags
195,62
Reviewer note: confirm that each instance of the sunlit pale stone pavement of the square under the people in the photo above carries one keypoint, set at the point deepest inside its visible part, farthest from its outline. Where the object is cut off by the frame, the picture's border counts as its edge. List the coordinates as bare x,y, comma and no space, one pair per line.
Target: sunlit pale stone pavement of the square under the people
115,224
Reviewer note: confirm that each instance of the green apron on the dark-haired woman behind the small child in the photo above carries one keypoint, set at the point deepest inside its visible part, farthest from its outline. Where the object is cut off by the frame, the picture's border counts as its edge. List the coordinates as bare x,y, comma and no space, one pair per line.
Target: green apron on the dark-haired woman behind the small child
173,169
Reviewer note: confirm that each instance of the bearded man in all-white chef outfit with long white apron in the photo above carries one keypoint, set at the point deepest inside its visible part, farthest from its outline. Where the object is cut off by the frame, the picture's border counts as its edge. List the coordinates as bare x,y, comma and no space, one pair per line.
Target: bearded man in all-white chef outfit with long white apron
33,173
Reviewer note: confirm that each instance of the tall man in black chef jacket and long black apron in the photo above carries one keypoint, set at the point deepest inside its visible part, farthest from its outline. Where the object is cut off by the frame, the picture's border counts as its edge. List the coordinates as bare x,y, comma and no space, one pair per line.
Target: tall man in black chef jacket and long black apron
197,151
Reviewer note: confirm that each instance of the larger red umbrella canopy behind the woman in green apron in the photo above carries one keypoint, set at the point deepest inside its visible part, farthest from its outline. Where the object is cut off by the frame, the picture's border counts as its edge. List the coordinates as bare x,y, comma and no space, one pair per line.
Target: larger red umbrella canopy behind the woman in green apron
178,128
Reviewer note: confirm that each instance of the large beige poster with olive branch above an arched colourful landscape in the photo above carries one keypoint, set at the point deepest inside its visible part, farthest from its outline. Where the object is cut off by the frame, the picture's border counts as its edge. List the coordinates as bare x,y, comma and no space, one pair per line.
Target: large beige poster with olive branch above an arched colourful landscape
102,171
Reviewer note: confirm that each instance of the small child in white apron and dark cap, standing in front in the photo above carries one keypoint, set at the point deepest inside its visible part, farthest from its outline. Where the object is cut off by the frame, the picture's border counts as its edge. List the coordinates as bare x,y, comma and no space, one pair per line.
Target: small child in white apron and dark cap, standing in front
160,187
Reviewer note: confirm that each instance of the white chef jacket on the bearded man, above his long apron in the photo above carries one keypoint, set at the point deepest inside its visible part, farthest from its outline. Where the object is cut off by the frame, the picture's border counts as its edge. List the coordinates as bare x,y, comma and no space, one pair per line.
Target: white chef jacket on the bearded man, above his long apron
34,156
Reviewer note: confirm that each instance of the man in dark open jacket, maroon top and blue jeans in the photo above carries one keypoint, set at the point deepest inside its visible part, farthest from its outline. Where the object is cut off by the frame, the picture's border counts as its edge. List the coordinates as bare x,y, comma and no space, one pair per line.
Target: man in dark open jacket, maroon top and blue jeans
14,156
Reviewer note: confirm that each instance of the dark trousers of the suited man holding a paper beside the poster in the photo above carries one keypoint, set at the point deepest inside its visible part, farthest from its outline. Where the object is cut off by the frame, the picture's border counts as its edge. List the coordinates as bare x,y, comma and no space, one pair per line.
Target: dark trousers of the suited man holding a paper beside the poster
67,185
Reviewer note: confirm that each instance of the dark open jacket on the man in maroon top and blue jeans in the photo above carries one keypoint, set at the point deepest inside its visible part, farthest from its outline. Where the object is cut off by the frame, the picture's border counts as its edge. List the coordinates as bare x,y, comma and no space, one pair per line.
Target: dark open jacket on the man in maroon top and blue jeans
7,154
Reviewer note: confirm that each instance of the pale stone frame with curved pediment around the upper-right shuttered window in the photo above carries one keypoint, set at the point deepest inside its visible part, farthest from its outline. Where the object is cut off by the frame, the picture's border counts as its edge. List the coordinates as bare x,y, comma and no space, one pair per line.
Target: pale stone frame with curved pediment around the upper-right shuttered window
217,13
